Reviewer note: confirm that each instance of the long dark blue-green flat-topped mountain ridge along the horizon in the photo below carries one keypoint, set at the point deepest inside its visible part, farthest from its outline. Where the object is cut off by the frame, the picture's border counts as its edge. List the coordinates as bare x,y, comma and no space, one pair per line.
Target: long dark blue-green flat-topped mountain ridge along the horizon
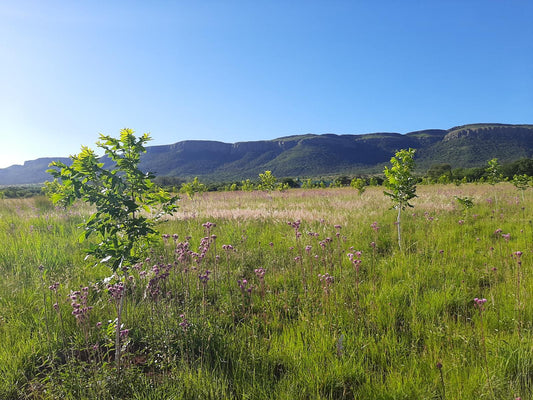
314,155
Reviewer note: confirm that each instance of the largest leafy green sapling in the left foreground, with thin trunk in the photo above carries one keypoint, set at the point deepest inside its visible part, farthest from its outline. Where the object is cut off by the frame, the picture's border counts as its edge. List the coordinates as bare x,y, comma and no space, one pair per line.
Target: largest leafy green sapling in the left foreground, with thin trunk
126,201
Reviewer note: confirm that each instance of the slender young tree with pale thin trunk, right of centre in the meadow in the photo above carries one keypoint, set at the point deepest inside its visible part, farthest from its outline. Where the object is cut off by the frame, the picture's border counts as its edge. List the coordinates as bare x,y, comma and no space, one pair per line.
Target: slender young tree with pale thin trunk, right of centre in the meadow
401,183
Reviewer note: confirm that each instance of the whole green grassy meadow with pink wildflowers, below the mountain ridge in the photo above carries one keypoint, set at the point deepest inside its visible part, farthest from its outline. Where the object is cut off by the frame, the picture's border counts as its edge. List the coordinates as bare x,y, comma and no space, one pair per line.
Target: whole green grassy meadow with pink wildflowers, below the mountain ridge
301,294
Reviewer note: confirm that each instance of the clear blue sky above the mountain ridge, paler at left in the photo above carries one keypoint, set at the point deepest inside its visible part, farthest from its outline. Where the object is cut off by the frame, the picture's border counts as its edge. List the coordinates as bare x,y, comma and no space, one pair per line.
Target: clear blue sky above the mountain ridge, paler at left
239,70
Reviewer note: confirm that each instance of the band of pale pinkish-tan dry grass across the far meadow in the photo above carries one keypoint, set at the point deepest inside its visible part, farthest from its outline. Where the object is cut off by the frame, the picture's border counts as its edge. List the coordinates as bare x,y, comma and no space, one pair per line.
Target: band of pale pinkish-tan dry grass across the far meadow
339,205
